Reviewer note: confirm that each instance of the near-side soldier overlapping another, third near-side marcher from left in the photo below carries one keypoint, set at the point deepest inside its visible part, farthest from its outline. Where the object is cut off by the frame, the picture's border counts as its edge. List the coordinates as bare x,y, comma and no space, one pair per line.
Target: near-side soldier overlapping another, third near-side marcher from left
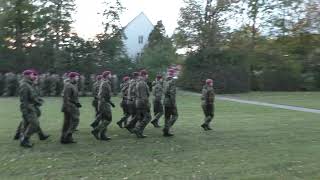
104,106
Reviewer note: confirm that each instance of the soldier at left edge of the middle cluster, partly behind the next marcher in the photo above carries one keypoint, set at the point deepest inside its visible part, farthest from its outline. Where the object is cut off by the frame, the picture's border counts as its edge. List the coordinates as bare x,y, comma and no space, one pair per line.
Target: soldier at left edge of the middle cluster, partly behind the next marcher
124,103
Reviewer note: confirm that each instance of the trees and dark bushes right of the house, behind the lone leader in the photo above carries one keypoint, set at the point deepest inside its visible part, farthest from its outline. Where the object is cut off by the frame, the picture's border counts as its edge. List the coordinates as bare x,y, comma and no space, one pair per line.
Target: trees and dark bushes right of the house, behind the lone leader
276,47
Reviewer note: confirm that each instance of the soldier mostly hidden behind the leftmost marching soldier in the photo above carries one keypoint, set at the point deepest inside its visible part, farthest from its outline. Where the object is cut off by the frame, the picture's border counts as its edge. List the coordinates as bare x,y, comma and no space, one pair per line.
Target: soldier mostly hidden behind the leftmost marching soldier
23,124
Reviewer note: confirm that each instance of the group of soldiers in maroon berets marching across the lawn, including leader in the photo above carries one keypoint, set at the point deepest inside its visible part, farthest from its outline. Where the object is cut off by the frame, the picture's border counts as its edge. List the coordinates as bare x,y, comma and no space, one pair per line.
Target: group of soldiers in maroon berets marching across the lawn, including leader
135,105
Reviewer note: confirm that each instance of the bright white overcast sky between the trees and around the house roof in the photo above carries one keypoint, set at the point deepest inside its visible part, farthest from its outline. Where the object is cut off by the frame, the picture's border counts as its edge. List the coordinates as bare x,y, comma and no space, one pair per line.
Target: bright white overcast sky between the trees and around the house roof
88,21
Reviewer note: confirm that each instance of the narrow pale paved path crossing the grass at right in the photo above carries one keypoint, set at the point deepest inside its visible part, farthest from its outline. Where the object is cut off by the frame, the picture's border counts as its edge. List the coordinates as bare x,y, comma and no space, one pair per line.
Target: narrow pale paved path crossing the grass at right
293,108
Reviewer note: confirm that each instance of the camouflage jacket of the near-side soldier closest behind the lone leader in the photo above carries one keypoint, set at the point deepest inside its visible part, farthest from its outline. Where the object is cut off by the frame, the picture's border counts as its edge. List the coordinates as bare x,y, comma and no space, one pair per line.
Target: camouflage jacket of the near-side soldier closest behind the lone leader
170,93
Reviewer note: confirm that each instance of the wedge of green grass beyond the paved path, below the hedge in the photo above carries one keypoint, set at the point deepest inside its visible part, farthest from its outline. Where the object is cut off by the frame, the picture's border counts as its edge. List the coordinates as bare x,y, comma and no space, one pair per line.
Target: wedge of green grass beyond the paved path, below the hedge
302,99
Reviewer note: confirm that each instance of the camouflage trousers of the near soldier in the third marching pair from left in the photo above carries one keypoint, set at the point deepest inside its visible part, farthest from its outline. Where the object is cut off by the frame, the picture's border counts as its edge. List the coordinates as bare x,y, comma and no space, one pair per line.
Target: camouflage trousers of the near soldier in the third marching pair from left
104,117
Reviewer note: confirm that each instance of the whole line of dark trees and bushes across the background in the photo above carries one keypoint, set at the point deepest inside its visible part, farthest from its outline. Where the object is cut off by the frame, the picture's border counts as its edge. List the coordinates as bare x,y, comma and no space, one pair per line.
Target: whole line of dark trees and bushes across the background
243,46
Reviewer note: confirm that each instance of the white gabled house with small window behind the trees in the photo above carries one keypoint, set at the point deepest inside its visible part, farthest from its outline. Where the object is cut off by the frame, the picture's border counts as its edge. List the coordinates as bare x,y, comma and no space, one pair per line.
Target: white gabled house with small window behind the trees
137,33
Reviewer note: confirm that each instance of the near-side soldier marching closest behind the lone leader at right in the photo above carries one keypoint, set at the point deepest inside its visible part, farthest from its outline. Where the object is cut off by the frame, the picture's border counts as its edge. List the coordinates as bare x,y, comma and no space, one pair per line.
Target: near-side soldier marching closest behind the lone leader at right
170,107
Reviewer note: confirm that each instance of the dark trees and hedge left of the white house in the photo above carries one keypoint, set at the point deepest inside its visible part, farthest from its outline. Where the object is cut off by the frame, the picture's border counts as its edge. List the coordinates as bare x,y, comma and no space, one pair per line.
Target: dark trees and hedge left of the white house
37,34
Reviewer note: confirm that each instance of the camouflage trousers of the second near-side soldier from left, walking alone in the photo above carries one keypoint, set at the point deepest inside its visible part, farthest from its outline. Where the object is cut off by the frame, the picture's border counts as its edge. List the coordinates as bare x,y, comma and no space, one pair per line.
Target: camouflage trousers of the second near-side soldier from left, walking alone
70,123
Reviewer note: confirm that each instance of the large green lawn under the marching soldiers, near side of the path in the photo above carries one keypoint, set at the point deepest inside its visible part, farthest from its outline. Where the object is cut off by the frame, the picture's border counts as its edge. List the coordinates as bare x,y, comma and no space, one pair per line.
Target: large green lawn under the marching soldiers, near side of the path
248,142
